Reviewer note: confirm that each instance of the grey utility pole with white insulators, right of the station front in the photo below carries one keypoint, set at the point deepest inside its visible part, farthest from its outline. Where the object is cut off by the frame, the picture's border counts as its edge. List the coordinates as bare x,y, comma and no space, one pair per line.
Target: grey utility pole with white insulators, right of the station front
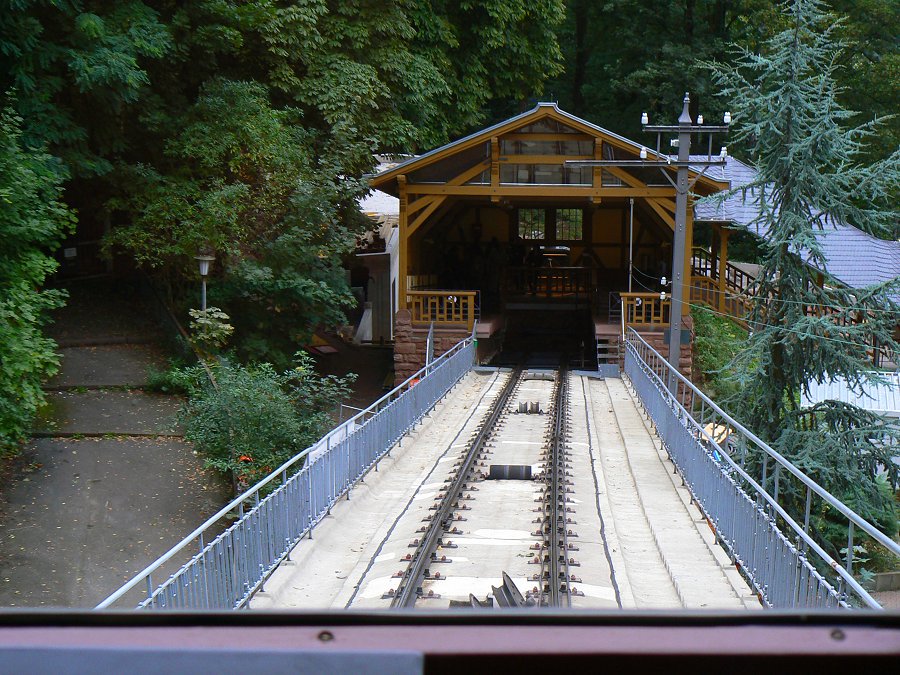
685,128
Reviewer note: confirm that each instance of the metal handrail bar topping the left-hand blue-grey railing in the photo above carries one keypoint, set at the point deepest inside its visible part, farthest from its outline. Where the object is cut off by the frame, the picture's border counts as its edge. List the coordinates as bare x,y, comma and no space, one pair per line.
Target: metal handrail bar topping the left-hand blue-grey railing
253,493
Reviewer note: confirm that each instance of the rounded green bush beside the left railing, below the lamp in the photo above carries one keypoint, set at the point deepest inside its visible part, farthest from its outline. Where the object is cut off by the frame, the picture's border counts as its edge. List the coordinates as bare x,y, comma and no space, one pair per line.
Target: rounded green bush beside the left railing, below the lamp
256,418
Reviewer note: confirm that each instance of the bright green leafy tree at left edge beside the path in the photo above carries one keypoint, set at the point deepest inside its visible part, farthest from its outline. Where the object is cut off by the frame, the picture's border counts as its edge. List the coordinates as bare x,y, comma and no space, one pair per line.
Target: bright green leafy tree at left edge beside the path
32,220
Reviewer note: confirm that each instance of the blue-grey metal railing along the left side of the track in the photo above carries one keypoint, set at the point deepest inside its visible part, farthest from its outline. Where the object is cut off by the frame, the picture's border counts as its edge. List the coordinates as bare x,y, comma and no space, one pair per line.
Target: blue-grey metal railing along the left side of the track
233,565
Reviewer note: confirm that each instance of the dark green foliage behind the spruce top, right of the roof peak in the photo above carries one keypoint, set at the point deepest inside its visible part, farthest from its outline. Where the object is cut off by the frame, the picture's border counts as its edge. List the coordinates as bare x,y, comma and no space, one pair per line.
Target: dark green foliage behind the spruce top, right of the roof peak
623,57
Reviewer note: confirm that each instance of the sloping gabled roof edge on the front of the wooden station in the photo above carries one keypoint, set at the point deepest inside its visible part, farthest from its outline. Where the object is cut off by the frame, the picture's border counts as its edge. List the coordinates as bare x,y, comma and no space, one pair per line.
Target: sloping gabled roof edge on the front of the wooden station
386,180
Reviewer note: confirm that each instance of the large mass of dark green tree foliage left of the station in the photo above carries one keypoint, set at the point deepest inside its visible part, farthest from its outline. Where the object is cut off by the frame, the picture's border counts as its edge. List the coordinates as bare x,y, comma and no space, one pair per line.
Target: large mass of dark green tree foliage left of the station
242,128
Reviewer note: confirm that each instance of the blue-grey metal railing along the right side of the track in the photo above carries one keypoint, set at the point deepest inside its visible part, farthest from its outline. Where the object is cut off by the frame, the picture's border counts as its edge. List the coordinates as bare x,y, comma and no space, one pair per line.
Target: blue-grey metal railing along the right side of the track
714,454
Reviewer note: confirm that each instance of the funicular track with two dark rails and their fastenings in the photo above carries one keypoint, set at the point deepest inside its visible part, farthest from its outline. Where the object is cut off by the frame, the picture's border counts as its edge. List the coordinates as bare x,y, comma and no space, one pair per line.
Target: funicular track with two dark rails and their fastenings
552,584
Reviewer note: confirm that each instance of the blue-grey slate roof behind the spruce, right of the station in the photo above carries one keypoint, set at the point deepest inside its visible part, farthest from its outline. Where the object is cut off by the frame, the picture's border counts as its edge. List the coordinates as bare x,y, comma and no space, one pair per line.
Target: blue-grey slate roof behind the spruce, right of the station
854,257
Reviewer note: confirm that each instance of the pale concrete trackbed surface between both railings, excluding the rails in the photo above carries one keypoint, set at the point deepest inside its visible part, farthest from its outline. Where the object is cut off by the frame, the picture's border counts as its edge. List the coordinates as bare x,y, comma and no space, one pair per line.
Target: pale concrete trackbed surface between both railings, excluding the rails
640,542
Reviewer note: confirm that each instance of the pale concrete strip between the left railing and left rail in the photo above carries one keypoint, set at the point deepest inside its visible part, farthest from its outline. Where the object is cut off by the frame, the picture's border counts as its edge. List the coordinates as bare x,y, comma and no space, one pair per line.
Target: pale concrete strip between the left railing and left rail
326,571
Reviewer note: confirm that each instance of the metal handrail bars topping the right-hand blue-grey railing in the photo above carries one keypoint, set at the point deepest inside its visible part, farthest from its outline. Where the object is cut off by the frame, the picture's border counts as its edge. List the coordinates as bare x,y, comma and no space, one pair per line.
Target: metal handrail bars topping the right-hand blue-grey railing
683,415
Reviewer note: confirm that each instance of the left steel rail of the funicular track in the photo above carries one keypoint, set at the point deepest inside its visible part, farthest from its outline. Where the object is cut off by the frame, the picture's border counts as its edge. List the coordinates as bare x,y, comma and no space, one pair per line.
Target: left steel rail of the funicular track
407,591
